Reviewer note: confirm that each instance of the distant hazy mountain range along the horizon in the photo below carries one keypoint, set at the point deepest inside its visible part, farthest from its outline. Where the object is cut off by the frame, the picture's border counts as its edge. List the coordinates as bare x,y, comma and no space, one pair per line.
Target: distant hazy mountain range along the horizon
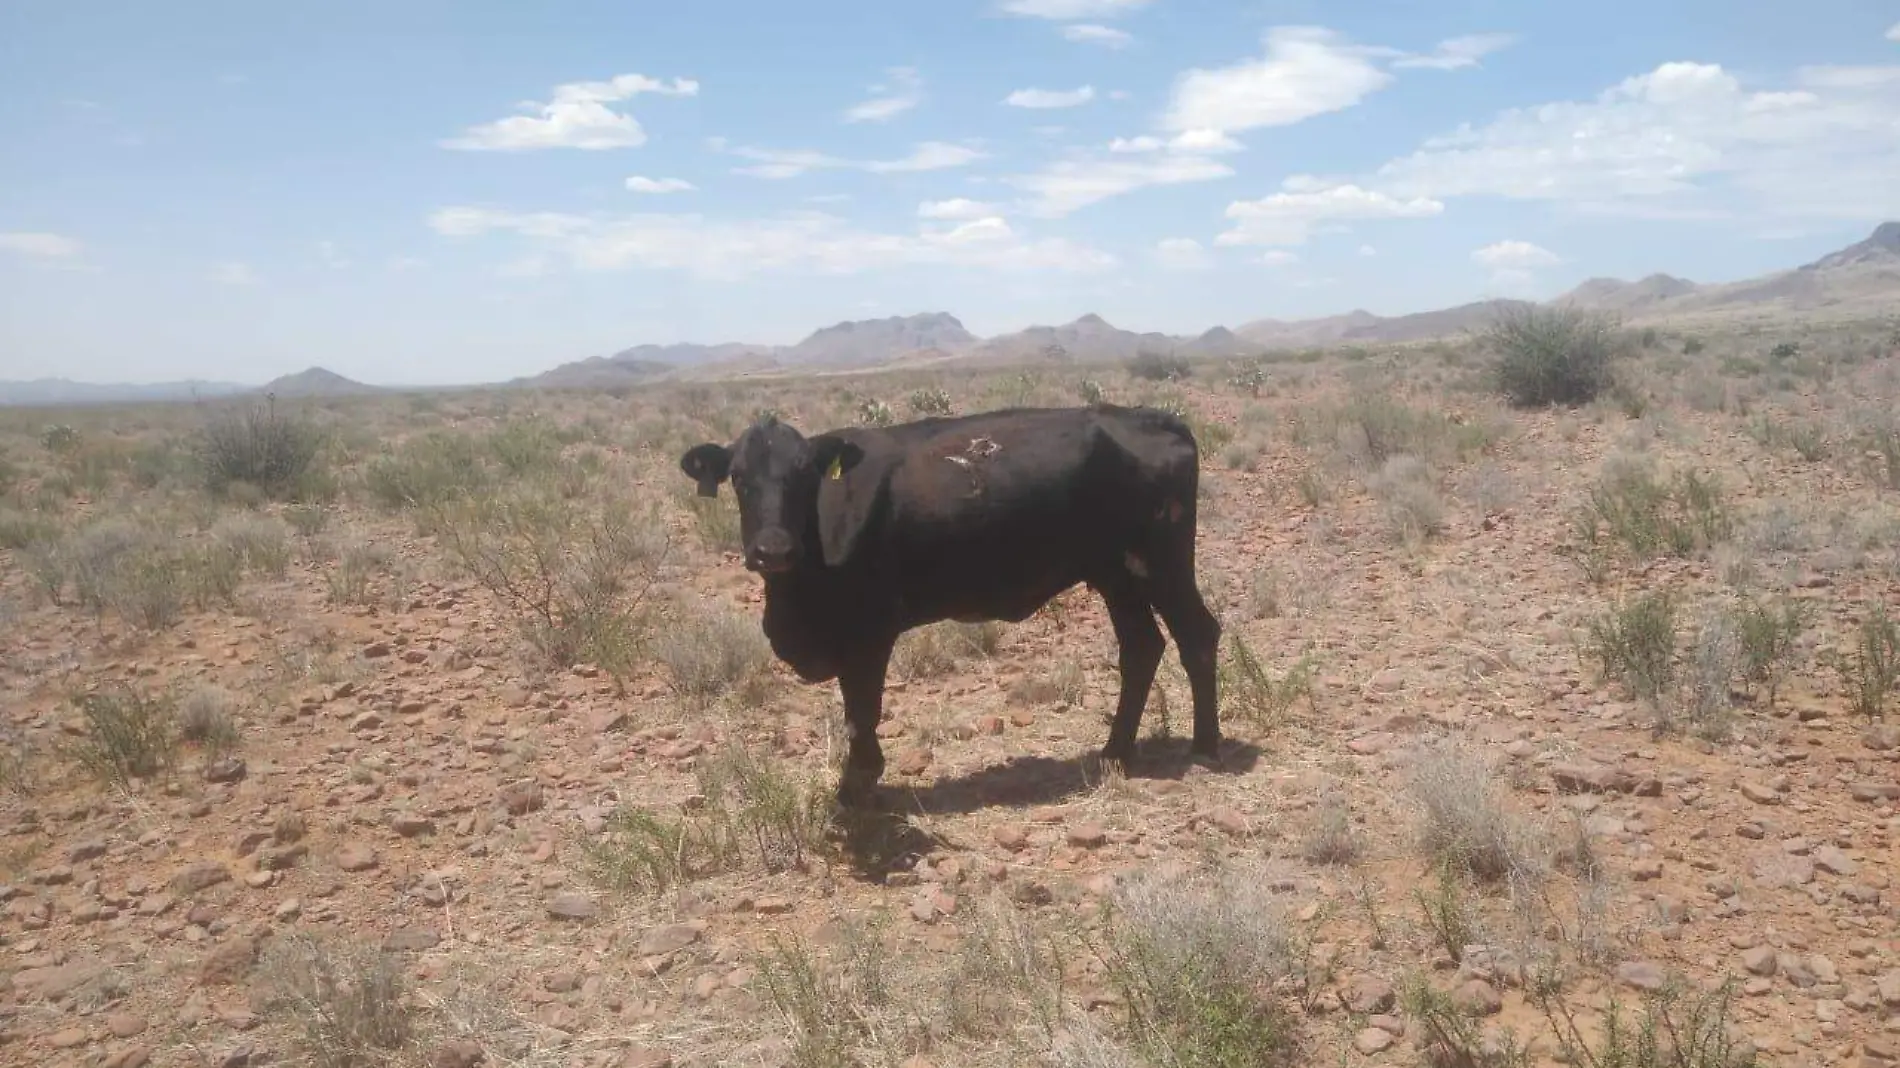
1859,280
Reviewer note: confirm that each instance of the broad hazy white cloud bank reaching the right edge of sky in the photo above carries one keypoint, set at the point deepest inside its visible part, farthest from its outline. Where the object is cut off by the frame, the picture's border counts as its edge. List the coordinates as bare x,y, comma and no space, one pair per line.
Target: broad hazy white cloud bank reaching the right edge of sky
1684,140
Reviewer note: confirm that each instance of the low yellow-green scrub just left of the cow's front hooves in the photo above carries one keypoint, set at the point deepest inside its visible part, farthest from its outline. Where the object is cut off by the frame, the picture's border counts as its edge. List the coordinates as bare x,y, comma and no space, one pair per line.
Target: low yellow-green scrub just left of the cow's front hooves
748,812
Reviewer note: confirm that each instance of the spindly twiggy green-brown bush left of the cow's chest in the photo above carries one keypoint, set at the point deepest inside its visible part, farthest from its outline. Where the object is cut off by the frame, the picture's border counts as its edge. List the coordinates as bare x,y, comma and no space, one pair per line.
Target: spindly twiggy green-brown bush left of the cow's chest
573,579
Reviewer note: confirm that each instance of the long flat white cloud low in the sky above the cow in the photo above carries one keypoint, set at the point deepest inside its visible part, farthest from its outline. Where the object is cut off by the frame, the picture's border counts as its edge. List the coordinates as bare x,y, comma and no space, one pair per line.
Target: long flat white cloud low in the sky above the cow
732,250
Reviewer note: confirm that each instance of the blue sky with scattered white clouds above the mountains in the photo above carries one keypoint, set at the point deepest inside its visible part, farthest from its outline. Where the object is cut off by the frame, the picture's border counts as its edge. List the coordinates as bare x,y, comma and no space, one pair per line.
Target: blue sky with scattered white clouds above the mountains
455,193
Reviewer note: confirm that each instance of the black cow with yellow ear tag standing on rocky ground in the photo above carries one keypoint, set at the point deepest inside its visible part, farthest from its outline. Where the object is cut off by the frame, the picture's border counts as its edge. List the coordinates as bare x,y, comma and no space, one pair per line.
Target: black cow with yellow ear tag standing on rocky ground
865,533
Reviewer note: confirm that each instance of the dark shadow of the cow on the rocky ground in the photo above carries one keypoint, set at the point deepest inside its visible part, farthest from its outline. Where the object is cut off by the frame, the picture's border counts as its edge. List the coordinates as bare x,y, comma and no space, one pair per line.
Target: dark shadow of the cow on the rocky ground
884,839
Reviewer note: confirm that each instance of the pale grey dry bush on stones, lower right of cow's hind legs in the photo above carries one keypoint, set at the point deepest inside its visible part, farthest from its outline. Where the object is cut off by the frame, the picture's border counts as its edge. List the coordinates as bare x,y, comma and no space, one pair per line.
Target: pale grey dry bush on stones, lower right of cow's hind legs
1464,822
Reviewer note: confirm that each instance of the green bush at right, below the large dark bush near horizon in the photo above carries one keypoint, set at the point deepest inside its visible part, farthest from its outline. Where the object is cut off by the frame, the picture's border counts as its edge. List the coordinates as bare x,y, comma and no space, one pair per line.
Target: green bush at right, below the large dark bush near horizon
1637,512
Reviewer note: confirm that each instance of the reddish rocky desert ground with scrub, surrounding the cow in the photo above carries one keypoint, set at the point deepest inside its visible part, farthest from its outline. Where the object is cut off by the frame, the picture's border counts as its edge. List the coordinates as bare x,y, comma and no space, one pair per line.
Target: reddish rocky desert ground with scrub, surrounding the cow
438,729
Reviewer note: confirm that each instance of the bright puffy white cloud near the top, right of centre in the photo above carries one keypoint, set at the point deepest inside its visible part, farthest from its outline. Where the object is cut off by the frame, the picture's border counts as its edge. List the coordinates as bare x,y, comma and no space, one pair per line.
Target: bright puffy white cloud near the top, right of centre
1306,71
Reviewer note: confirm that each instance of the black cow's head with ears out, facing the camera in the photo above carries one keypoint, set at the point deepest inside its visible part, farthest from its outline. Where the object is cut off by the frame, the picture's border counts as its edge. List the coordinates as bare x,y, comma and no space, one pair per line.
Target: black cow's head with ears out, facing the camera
776,474
